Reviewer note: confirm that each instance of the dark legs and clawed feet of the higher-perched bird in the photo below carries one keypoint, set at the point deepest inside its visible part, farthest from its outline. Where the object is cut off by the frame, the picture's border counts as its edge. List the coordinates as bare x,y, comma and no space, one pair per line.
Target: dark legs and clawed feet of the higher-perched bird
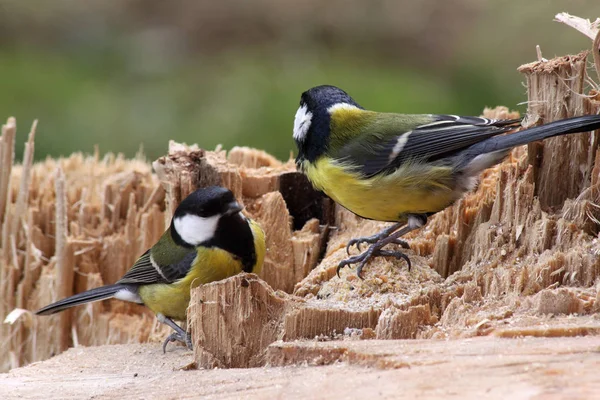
386,237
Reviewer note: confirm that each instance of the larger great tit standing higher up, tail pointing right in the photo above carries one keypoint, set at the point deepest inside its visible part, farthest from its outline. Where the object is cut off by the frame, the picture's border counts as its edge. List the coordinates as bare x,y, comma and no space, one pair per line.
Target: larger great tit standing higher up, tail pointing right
401,168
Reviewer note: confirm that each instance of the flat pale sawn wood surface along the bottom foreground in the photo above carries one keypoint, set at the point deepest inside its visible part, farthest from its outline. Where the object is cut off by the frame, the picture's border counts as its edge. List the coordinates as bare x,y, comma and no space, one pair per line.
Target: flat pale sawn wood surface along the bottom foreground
478,368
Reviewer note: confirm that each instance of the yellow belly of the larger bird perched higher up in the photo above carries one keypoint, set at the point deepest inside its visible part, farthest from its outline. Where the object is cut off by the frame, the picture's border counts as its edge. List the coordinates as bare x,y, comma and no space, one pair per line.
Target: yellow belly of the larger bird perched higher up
413,188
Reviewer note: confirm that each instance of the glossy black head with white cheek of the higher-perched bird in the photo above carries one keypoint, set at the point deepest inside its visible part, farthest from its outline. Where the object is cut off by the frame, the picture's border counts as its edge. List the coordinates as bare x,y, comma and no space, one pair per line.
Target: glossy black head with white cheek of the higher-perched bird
312,122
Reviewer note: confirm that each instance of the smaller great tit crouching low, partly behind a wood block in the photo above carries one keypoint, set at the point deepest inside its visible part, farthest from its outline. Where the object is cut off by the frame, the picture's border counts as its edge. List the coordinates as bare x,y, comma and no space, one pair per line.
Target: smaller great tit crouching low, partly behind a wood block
209,239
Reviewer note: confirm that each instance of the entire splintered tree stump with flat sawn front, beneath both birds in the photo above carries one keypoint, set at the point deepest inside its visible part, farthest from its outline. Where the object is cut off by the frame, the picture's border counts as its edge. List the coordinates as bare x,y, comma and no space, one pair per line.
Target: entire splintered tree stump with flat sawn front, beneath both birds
516,257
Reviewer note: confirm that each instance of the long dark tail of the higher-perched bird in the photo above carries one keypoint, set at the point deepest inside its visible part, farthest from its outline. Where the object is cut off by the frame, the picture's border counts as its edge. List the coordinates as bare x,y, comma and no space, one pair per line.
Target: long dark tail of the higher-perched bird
563,127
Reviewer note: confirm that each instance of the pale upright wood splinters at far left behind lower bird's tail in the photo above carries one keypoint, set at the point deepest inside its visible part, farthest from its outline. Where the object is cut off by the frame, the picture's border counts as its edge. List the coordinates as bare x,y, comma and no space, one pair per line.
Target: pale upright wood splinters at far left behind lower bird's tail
69,225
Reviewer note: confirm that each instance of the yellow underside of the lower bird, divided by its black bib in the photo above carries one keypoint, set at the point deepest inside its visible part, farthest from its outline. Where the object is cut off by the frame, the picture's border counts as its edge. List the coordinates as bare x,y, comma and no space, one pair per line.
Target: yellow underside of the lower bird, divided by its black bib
211,264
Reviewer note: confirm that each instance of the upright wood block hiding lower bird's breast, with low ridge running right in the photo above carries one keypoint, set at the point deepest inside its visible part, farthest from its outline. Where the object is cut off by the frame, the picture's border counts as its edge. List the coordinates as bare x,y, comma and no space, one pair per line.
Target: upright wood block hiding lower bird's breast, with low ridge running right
233,321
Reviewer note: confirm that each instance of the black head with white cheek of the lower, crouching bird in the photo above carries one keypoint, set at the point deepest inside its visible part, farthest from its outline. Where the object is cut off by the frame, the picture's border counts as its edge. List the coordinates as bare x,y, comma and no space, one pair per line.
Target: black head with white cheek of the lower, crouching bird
197,217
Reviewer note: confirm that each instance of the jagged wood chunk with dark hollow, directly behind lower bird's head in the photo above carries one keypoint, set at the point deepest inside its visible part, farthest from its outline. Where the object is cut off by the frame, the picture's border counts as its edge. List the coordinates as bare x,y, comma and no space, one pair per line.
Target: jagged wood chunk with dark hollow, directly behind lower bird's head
260,183
